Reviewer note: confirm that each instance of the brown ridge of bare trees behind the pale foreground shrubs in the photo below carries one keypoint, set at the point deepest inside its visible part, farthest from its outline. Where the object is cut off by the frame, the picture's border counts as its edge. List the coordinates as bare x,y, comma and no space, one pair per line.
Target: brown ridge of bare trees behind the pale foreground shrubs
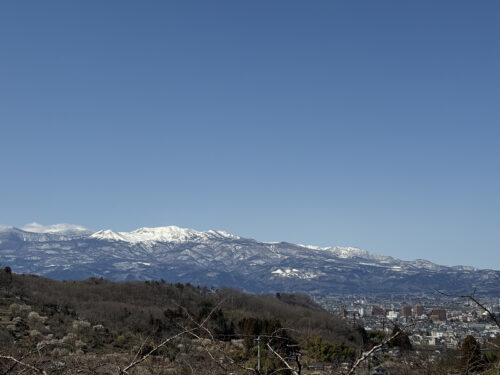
132,307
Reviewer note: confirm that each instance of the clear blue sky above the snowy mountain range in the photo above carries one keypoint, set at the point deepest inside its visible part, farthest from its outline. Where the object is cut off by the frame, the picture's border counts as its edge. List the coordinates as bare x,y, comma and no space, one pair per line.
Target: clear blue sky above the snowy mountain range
366,123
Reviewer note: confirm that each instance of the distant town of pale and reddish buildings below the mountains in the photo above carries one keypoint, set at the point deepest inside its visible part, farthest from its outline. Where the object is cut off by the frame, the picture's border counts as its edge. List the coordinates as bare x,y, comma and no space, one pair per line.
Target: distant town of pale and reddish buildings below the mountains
436,321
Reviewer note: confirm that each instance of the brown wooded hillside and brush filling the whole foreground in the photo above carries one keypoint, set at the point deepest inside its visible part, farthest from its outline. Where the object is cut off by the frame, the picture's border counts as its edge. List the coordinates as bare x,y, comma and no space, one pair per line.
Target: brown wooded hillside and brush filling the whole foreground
97,326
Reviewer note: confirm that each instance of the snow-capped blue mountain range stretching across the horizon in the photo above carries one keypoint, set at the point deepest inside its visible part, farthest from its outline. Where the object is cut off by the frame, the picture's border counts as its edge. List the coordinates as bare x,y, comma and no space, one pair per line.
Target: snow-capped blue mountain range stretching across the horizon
217,258
